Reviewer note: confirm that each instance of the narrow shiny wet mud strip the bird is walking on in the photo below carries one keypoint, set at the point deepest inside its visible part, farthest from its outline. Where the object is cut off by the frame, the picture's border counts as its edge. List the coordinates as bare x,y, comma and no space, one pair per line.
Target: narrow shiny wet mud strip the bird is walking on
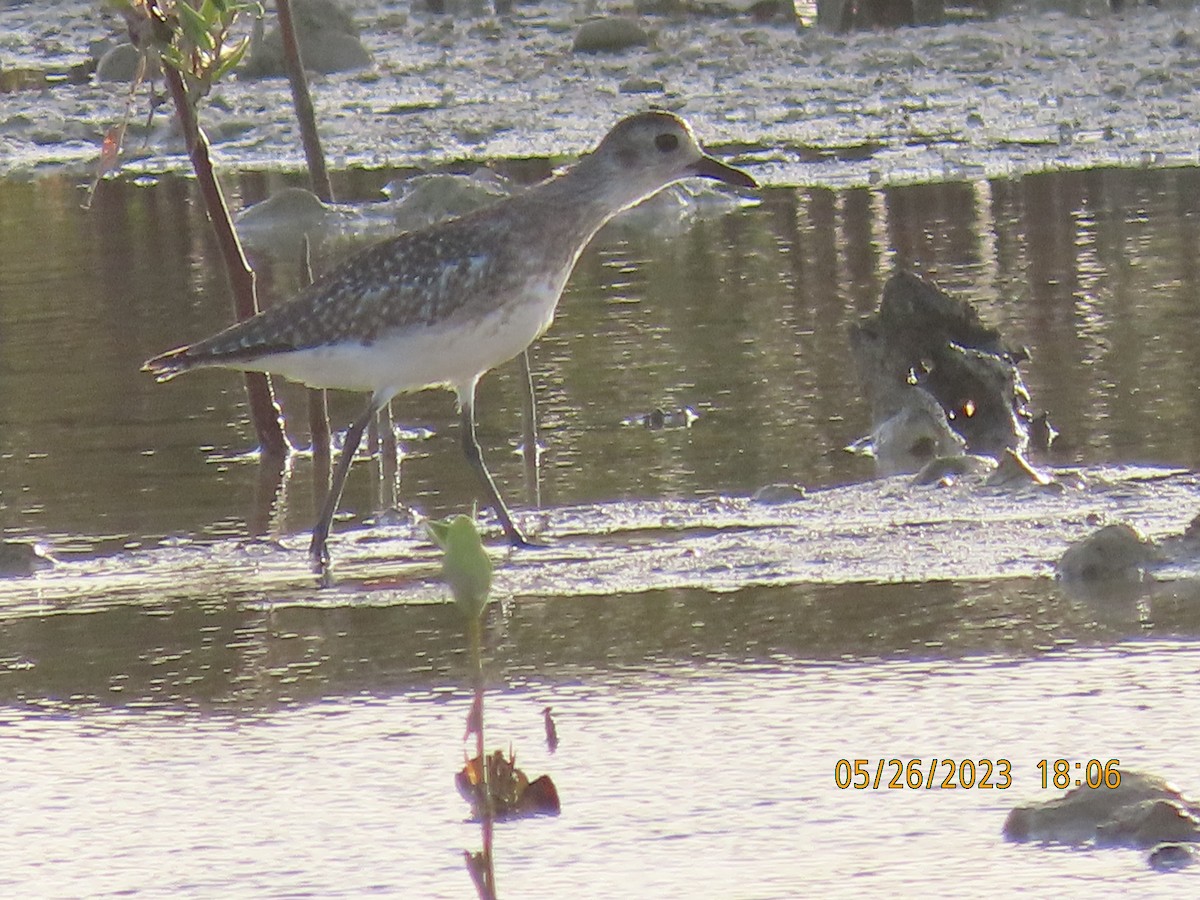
879,532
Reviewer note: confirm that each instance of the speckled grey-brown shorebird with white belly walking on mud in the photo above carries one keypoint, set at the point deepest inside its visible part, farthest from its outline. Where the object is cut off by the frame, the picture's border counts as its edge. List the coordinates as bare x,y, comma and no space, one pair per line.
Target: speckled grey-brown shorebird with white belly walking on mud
443,305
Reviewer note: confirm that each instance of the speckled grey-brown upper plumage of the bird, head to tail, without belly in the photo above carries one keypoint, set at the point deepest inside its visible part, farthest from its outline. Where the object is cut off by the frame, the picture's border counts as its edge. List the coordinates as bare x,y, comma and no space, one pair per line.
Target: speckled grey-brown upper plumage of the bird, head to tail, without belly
458,269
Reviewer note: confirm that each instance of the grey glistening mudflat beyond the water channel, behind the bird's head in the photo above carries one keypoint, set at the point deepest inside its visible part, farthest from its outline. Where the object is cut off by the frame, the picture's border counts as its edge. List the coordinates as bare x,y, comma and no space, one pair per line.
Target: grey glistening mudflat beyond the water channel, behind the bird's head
1030,92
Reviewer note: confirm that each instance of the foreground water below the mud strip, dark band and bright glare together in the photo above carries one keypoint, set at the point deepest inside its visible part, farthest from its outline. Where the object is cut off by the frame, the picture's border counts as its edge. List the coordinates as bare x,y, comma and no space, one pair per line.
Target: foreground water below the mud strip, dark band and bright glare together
310,752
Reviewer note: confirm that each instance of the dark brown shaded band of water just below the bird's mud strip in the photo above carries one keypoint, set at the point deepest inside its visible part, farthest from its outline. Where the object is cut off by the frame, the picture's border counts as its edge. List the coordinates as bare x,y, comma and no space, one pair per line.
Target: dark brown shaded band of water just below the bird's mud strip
244,658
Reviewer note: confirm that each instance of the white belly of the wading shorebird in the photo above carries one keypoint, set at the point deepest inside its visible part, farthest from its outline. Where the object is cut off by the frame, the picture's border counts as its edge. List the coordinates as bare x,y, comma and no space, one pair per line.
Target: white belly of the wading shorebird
451,355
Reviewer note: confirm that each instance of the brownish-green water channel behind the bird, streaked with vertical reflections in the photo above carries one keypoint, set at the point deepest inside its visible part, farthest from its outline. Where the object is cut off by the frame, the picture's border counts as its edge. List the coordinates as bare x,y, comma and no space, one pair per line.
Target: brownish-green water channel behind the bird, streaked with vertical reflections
742,319
